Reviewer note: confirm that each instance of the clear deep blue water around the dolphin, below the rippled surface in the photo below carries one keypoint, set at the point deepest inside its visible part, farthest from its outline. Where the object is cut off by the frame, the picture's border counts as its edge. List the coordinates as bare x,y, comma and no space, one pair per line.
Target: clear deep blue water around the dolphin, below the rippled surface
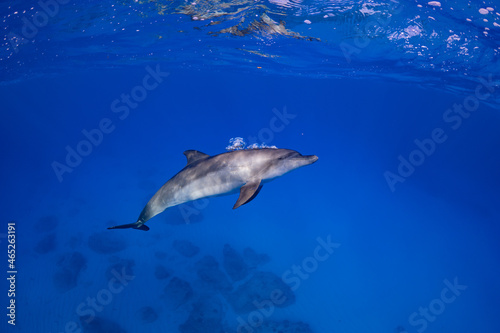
394,249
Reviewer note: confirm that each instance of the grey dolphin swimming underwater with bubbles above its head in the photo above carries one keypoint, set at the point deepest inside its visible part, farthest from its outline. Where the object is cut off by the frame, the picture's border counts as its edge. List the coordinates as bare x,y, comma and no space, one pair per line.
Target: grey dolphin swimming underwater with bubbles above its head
209,176
